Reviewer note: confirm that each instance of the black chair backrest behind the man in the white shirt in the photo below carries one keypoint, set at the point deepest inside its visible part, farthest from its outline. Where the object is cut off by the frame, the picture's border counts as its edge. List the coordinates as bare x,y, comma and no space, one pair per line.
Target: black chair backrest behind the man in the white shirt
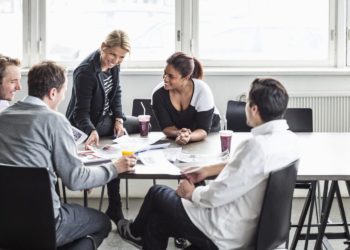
274,221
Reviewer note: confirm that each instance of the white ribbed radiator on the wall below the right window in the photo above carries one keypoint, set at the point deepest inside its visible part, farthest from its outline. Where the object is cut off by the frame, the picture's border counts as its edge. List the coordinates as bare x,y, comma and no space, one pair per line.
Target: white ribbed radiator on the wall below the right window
330,113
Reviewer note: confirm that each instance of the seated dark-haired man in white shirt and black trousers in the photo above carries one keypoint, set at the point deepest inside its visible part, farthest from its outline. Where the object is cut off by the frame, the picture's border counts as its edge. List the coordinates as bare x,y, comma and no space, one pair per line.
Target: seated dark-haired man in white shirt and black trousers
223,214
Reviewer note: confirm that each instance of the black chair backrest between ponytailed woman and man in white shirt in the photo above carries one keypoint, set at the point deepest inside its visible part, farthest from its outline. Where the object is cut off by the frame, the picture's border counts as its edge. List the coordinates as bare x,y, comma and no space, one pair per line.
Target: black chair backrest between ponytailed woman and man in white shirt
235,117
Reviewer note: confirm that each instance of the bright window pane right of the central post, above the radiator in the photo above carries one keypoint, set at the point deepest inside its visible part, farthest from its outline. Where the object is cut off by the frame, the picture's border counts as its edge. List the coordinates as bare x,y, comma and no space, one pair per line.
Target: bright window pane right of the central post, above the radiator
265,31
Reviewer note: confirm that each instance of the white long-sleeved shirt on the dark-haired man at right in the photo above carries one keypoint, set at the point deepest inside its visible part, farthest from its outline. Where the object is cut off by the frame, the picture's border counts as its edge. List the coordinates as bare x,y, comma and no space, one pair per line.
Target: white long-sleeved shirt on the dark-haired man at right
227,209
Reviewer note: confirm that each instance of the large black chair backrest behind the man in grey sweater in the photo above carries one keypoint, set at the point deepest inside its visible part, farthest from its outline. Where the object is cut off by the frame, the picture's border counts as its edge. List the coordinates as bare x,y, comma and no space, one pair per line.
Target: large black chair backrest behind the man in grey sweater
26,210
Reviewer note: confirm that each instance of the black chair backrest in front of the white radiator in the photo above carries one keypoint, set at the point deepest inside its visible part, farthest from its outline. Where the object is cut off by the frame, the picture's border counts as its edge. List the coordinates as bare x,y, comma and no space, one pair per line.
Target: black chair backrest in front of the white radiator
299,119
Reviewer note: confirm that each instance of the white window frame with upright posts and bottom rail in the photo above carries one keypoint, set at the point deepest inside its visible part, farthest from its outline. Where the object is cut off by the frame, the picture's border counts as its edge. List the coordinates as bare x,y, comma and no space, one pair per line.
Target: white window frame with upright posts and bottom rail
186,38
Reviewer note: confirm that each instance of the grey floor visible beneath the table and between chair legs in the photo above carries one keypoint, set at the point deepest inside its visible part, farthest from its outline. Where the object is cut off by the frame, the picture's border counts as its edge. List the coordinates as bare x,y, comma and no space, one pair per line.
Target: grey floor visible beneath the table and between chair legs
115,242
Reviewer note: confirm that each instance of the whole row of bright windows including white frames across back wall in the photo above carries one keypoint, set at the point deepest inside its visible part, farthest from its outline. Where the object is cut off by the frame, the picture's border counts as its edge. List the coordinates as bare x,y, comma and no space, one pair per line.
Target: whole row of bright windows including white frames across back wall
221,33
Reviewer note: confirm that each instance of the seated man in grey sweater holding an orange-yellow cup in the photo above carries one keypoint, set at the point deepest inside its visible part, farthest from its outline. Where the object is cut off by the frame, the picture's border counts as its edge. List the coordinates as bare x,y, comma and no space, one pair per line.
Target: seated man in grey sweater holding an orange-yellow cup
34,134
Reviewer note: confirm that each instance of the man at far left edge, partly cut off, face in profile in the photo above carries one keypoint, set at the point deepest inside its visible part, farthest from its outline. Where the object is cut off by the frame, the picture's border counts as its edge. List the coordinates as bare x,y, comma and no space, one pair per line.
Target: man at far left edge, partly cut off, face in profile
10,80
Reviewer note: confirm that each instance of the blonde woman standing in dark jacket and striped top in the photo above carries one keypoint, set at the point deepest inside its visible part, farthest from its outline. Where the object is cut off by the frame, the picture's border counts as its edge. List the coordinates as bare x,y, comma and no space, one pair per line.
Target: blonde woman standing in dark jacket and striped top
95,106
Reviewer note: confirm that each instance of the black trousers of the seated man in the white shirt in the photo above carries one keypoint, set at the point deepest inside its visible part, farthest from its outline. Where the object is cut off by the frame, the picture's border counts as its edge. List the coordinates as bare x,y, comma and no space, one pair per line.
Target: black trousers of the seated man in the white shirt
161,216
